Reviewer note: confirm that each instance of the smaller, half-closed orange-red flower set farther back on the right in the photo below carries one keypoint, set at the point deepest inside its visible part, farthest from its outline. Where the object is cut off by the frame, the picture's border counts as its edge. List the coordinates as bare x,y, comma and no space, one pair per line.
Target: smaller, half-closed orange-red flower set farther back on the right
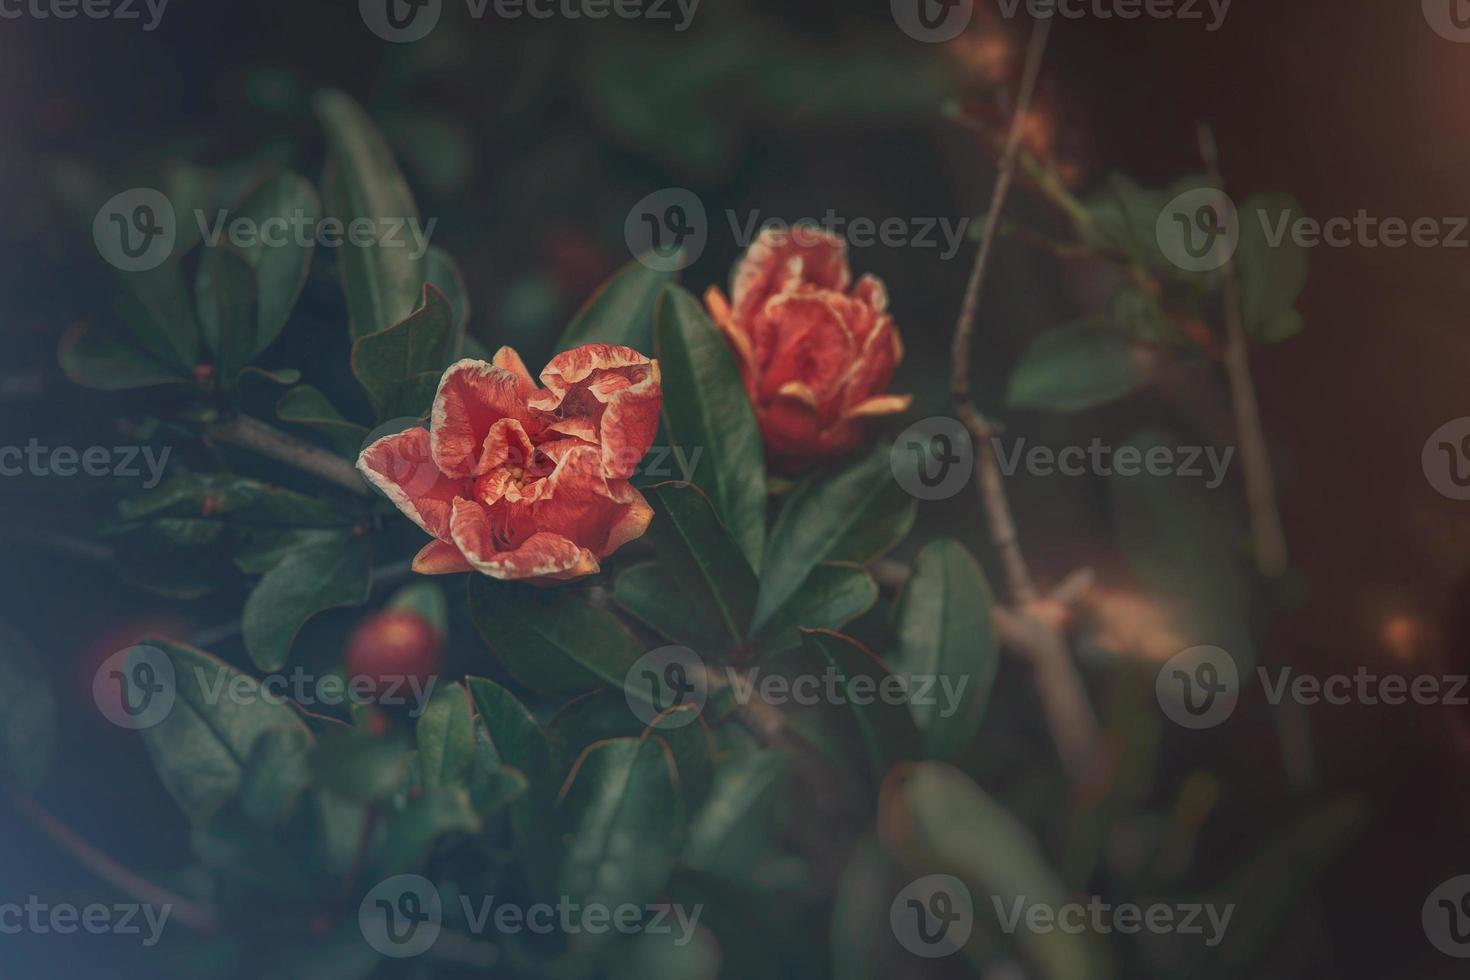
815,352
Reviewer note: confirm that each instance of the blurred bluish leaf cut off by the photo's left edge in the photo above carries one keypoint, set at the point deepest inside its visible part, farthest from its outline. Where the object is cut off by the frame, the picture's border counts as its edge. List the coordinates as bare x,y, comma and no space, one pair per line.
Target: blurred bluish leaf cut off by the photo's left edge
27,713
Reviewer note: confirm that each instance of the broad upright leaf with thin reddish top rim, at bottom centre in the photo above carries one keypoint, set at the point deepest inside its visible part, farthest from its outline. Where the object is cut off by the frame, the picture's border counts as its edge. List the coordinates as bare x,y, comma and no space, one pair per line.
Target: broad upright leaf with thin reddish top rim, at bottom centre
624,824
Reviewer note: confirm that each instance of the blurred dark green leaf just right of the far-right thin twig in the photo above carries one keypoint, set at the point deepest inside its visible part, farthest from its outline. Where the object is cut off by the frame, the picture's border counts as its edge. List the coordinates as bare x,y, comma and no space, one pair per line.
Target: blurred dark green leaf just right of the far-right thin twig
1272,277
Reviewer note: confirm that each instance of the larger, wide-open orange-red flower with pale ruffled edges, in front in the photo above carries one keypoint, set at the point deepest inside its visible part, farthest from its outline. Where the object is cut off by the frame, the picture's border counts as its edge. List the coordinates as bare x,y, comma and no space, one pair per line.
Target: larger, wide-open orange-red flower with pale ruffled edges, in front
526,483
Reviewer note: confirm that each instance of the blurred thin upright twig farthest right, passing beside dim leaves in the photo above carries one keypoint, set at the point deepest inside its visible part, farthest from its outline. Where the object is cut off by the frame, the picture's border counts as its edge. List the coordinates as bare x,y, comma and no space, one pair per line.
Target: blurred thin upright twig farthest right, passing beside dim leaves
1261,481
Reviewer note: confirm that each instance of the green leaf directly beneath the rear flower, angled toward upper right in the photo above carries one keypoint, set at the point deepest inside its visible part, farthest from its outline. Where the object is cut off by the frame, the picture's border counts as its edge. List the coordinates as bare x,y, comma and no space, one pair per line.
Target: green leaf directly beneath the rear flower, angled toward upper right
853,515
